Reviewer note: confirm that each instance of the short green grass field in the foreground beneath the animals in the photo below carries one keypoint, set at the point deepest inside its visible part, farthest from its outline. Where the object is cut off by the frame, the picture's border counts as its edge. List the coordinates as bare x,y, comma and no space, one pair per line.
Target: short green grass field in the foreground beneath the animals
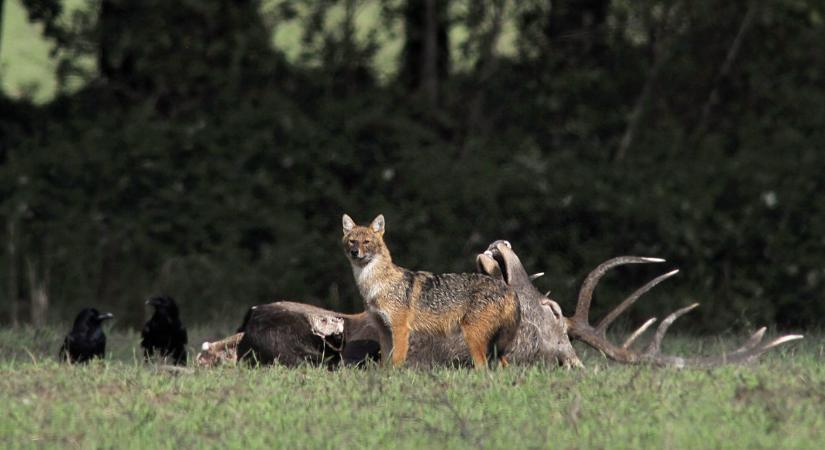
122,403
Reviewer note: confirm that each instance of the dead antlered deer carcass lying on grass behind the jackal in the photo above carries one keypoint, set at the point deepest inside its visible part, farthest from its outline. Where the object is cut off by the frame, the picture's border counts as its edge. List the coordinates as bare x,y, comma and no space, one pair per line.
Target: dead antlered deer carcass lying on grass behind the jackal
291,333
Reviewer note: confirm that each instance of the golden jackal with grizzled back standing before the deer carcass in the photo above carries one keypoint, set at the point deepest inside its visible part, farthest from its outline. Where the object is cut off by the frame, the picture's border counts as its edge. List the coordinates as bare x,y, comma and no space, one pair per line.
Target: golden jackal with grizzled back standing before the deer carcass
485,309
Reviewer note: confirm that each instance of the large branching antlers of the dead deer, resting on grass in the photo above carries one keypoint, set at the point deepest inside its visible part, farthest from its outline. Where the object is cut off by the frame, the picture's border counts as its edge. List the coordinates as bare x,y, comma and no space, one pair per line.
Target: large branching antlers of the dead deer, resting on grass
579,326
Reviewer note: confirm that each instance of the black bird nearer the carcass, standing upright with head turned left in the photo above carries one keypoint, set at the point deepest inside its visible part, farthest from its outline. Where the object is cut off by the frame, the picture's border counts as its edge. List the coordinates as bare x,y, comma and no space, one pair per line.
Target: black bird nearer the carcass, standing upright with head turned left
164,331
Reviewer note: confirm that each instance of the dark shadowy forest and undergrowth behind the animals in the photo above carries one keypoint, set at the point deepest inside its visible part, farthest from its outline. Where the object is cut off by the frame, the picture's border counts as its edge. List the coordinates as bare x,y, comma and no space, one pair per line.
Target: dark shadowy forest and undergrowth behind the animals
199,161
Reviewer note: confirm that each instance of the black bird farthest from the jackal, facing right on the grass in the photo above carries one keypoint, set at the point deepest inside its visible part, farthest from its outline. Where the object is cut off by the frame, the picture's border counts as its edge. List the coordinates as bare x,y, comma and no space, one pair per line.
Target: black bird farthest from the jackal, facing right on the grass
86,340
